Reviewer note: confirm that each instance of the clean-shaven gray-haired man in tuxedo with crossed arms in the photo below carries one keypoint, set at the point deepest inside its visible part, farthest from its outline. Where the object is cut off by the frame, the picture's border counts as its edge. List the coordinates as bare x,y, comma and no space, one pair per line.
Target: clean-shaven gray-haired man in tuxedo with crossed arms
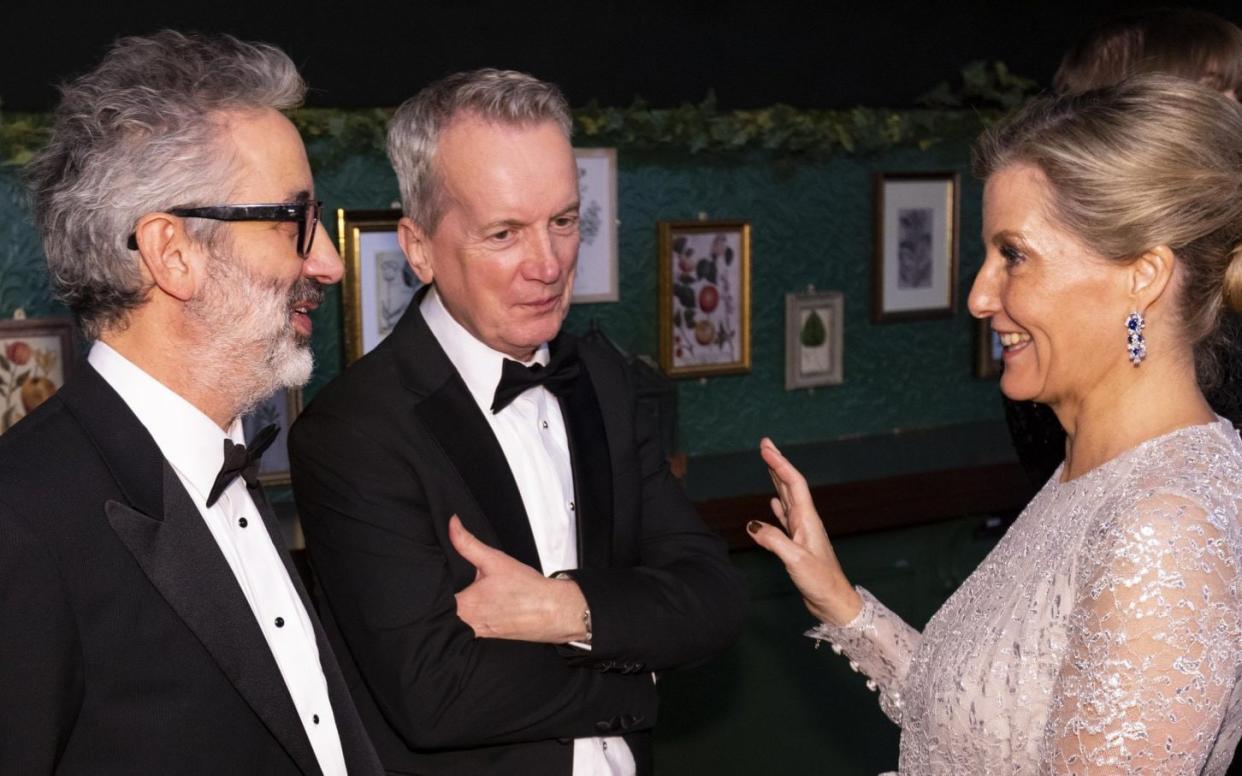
504,554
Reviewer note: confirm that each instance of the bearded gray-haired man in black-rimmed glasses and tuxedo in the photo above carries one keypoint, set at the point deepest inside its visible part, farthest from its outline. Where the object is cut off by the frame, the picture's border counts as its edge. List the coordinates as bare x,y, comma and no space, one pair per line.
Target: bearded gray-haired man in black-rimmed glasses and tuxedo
151,621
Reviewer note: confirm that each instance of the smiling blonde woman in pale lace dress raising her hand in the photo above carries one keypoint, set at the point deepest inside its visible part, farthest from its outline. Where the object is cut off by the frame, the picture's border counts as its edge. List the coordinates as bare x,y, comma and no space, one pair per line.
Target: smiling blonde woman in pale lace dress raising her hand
1105,633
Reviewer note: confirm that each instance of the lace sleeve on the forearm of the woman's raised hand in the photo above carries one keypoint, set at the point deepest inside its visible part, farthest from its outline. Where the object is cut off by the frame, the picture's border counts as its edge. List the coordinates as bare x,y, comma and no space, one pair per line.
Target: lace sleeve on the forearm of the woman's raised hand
880,645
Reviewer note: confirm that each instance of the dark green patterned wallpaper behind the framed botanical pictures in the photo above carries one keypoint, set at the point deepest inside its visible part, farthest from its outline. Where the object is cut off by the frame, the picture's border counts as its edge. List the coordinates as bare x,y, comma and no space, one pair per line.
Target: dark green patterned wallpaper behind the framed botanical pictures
812,225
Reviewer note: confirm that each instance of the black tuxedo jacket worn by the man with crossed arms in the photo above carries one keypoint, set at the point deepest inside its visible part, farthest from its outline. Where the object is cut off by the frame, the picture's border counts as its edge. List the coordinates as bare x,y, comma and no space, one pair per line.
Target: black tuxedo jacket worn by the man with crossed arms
394,448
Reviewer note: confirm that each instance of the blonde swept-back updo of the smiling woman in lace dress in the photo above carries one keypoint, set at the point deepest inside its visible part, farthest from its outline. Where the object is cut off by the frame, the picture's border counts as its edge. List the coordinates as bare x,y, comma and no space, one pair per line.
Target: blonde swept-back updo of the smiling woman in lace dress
1154,161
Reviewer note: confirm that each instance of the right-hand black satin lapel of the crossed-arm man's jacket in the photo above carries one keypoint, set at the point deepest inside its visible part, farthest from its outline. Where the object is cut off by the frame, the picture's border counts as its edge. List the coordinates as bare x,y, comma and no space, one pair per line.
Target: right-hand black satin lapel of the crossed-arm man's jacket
593,474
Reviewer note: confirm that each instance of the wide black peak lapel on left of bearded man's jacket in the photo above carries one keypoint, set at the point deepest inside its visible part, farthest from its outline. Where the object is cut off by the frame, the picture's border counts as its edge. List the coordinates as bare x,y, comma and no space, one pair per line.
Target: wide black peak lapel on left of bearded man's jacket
183,562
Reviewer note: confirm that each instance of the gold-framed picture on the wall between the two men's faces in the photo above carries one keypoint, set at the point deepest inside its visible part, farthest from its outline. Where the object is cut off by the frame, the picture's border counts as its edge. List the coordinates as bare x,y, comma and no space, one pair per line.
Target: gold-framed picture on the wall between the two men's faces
378,284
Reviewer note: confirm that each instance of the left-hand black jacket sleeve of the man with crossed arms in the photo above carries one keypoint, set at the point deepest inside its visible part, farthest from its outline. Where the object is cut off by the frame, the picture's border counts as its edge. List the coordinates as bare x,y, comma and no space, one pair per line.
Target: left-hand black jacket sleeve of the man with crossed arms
386,567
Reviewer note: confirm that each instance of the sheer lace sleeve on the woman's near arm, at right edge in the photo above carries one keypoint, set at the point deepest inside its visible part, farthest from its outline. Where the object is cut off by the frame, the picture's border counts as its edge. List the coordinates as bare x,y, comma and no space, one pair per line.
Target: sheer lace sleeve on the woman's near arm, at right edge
1153,644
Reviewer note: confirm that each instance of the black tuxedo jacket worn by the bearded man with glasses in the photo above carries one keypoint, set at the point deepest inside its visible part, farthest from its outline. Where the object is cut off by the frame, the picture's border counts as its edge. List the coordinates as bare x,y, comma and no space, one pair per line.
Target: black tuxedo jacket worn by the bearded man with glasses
126,643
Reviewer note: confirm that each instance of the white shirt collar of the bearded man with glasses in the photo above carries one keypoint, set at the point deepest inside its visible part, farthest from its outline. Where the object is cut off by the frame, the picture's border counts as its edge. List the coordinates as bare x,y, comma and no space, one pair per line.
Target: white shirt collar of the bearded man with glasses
189,440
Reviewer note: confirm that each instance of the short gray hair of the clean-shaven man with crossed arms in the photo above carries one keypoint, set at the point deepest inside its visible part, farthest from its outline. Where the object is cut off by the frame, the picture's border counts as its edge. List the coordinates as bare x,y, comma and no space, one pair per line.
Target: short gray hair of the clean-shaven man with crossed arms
501,96
